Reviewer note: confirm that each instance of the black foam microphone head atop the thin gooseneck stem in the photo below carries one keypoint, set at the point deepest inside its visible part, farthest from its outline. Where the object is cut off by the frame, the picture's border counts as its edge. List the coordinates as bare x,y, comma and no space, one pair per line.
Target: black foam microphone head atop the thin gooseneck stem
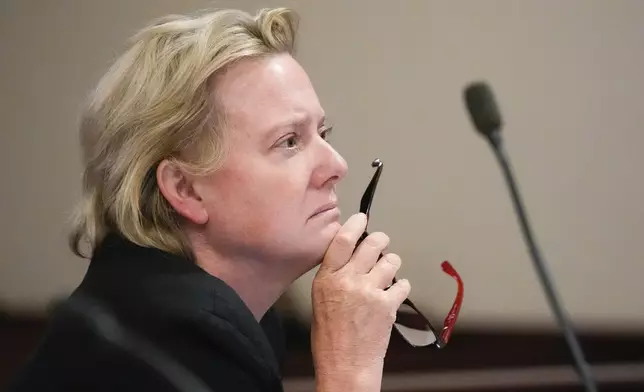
482,107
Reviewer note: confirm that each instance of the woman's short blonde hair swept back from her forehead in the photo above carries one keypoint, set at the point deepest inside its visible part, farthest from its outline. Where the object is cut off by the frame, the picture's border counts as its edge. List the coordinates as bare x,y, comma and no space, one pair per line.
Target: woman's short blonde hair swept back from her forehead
157,102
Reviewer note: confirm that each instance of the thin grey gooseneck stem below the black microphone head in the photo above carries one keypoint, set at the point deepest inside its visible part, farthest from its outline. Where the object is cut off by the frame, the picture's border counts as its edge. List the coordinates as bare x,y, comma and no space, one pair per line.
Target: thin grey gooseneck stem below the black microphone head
583,369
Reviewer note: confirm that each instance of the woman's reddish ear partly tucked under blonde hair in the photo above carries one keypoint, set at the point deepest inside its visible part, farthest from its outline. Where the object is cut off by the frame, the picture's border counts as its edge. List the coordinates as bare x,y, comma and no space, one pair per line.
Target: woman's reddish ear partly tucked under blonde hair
178,189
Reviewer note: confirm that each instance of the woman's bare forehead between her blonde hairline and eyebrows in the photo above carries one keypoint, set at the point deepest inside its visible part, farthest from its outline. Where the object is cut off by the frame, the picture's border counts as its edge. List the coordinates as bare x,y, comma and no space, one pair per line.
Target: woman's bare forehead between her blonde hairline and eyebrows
260,94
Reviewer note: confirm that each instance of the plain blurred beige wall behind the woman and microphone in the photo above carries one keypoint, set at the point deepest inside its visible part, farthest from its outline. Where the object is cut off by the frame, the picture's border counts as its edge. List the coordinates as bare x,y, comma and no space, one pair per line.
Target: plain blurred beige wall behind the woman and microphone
570,82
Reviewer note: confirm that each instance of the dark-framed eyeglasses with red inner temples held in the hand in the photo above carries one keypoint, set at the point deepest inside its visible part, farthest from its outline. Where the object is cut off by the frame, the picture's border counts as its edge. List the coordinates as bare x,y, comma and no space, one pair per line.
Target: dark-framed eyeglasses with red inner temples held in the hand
410,323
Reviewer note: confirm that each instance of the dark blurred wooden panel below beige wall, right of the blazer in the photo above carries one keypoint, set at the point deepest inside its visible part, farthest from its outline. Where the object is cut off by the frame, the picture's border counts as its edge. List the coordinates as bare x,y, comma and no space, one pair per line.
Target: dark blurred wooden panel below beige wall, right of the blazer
481,349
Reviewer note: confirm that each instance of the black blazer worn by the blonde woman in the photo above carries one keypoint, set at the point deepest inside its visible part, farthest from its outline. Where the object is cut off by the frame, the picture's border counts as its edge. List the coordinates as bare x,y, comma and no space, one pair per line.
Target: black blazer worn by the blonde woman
146,320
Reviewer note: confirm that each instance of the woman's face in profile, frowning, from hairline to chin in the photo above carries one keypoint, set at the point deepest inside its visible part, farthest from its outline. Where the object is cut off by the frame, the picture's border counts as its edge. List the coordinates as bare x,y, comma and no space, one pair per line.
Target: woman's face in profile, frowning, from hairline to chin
279,170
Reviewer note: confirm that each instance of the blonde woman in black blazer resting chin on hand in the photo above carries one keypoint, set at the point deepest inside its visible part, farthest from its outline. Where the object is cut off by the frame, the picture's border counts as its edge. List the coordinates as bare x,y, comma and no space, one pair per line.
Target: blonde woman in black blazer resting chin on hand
208,188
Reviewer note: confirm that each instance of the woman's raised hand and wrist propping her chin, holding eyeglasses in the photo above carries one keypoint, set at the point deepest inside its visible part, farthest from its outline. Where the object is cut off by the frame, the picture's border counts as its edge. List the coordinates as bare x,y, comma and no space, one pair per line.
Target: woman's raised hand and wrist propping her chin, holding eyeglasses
353,314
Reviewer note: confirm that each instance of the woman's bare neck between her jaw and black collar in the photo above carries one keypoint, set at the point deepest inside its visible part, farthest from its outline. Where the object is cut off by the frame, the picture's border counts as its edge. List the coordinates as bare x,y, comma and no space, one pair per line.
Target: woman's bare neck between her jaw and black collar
252,280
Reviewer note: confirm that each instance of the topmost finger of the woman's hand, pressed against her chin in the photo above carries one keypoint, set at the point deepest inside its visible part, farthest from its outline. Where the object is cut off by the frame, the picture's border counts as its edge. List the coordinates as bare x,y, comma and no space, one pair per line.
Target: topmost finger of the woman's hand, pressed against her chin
344,242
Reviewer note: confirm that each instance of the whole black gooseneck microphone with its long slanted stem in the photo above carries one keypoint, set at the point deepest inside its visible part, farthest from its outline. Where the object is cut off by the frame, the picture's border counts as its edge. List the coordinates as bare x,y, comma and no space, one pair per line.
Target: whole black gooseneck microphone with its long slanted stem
486,118
